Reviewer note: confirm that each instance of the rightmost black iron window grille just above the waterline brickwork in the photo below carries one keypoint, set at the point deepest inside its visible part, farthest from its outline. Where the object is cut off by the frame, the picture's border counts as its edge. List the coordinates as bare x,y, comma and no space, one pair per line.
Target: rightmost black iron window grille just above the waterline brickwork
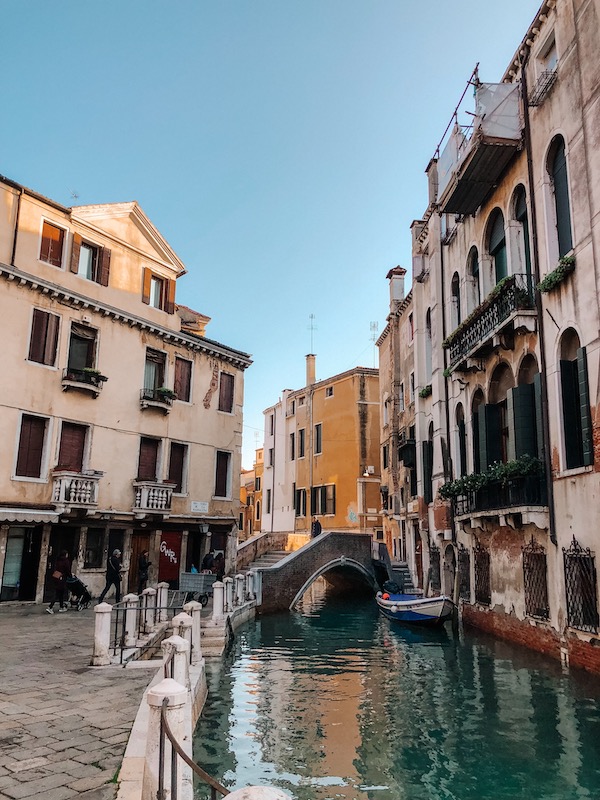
581,587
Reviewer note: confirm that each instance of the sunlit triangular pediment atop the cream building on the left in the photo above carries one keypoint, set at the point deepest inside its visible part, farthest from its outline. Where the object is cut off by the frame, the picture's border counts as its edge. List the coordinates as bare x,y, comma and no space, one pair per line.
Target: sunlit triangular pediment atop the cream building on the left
128,224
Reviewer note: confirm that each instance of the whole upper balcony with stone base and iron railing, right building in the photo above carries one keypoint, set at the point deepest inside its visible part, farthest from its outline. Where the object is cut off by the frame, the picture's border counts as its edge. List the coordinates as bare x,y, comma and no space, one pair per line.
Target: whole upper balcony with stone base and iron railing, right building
507,308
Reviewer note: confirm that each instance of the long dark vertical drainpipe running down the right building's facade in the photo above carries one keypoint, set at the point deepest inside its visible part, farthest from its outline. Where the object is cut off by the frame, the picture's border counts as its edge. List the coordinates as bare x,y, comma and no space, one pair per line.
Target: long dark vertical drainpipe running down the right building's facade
538,304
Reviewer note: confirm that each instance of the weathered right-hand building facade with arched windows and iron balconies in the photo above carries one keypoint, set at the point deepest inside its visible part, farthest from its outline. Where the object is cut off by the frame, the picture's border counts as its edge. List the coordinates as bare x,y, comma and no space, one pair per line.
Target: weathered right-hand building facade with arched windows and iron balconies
505,296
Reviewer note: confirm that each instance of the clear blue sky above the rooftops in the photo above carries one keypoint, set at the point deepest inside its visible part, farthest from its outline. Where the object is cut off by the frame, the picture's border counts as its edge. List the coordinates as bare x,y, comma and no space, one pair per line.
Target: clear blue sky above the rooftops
278,145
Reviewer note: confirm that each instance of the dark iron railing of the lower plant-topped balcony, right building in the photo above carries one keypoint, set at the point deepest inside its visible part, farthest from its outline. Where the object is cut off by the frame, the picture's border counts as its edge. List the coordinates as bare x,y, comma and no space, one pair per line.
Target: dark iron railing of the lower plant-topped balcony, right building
529,490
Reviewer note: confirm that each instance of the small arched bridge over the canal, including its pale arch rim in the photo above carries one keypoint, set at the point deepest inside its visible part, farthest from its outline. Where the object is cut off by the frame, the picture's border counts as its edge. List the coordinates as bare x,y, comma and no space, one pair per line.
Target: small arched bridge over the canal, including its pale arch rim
341,558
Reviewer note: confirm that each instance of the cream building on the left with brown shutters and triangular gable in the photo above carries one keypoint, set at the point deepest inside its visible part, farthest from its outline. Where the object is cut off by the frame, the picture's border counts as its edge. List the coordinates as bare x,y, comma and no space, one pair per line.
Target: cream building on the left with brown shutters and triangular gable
121,423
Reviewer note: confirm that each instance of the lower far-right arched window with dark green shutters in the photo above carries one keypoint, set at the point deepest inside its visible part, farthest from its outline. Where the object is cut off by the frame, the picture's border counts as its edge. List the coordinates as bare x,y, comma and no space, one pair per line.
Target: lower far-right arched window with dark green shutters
576,416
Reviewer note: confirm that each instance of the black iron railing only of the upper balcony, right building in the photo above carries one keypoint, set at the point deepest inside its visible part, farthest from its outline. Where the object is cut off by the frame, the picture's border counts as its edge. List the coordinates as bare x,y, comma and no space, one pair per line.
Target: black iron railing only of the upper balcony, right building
510,296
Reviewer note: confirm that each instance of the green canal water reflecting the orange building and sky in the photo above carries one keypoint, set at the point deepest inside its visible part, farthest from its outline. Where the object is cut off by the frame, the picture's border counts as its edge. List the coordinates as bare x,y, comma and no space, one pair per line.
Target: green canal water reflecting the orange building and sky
337,702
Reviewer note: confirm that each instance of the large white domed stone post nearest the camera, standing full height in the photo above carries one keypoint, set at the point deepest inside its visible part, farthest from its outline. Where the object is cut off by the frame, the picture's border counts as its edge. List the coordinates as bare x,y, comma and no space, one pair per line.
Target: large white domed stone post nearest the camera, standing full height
177,696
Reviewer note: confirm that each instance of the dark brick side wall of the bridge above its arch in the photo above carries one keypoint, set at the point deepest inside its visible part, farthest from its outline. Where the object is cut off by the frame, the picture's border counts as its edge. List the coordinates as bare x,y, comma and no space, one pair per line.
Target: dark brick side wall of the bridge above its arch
282,582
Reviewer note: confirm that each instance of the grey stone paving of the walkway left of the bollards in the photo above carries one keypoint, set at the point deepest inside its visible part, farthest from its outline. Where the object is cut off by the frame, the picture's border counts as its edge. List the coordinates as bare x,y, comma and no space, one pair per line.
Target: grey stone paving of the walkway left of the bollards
63,724
